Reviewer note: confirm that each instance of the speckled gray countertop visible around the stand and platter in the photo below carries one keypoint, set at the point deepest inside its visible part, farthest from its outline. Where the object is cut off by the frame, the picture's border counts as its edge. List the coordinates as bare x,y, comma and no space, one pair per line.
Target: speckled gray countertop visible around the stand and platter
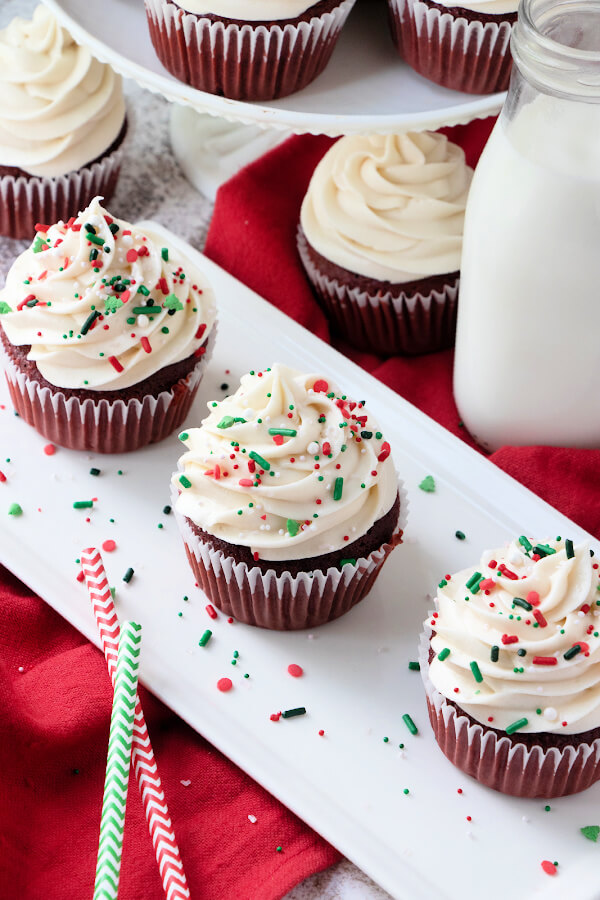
152,186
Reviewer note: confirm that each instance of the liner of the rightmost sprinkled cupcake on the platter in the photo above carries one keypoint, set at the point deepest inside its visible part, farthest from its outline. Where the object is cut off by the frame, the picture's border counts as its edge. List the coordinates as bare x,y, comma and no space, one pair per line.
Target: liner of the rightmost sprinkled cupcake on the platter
500,763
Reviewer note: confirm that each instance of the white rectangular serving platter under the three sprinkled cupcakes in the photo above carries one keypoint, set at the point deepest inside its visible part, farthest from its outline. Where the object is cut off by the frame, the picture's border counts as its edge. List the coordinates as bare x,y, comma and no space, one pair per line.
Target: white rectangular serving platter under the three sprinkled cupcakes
349,784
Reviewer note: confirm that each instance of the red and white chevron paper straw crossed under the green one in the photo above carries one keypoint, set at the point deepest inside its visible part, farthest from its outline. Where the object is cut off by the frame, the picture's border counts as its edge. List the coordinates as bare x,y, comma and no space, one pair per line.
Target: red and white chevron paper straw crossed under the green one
142,758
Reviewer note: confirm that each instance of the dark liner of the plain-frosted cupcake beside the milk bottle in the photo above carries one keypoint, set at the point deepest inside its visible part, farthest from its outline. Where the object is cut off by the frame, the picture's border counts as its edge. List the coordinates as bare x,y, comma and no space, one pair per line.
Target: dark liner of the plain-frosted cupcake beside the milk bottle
386,324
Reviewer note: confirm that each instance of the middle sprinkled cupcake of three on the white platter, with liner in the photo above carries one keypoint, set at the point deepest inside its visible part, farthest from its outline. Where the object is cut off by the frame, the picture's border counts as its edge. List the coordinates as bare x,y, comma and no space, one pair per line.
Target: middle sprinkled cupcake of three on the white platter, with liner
288,501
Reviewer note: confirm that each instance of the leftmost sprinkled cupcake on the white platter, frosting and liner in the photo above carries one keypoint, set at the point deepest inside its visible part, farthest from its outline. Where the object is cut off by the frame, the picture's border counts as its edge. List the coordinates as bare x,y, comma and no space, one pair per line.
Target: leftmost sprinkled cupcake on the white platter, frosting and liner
104,331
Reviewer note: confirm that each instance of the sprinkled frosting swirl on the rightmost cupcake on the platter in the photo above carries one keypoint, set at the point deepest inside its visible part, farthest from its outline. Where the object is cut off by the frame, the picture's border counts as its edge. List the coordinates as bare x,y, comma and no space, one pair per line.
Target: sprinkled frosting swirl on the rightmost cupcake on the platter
516,639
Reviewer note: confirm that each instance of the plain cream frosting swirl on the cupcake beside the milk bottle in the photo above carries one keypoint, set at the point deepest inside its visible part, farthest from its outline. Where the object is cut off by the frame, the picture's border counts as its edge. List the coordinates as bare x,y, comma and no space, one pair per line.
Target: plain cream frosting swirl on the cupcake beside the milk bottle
389,207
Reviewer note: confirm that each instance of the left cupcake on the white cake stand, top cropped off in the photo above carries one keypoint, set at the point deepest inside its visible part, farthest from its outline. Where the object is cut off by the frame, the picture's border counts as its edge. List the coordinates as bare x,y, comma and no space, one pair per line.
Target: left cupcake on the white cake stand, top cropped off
244,50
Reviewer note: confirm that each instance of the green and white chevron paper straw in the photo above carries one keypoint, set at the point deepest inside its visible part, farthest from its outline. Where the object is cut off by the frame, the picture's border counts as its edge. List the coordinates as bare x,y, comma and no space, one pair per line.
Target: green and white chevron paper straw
112,823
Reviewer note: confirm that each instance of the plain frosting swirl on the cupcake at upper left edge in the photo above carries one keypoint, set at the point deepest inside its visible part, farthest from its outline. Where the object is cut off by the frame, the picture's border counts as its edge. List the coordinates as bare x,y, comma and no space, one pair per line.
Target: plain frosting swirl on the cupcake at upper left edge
59,107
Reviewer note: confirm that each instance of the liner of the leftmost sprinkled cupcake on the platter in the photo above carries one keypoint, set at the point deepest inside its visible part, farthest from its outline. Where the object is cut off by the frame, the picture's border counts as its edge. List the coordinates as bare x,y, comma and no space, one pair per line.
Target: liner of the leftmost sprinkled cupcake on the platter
105,425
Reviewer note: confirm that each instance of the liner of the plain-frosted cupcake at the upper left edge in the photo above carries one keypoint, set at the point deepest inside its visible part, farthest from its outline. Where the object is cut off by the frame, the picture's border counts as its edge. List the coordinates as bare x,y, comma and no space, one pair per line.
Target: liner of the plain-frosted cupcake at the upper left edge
25,201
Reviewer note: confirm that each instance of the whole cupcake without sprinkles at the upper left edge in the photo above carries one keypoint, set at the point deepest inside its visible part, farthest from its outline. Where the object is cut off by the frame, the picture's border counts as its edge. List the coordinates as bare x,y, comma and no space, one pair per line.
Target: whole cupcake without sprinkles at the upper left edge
62,124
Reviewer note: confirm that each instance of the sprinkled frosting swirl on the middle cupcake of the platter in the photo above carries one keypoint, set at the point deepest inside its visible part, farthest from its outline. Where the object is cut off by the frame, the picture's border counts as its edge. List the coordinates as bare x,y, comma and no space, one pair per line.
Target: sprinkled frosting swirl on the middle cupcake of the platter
286,466
